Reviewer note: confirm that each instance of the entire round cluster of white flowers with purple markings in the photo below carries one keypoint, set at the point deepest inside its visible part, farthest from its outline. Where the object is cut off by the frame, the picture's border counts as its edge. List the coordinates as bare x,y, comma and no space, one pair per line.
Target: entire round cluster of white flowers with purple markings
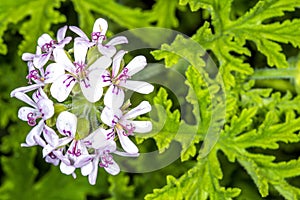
76,99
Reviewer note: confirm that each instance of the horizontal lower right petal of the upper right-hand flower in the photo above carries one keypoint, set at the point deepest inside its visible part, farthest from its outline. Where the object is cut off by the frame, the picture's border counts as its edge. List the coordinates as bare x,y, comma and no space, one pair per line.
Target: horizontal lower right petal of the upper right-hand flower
137,86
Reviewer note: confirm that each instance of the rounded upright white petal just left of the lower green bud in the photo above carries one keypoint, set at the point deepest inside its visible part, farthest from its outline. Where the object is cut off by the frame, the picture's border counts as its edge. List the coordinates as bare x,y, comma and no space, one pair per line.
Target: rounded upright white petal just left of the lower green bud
66,124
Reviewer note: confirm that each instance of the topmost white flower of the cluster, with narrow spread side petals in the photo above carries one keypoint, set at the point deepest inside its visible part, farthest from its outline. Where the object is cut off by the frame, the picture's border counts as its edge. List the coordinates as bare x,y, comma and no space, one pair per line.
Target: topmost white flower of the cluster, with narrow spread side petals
98,36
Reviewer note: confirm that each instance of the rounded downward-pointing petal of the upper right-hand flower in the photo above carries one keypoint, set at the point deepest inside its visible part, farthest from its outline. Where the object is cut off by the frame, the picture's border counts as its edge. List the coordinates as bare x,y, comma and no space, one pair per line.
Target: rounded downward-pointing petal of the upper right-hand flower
114,97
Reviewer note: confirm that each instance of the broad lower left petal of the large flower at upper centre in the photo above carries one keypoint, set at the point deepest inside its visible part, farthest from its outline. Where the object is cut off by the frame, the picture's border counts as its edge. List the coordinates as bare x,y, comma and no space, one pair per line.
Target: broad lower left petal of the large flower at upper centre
62,87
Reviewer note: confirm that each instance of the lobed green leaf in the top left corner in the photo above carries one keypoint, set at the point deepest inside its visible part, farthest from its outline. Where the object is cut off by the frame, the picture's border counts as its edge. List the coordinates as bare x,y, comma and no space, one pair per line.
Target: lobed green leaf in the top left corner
40,21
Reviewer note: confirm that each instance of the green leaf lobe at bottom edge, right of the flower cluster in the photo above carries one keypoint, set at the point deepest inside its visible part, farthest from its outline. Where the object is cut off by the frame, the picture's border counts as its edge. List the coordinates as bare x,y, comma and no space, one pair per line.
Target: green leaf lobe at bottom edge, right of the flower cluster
200,182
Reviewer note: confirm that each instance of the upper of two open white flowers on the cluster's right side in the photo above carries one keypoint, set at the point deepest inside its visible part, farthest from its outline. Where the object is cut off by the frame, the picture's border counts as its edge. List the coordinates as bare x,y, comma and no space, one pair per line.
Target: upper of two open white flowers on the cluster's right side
118,79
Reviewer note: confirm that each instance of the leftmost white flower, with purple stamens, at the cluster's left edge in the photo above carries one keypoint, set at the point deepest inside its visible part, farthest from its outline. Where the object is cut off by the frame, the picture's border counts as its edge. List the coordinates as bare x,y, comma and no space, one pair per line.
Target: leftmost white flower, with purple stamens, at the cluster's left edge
41,108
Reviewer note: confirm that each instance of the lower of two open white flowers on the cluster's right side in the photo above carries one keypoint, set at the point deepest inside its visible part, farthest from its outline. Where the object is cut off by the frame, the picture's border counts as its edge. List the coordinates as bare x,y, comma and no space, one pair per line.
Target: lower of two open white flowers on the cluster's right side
121,123
